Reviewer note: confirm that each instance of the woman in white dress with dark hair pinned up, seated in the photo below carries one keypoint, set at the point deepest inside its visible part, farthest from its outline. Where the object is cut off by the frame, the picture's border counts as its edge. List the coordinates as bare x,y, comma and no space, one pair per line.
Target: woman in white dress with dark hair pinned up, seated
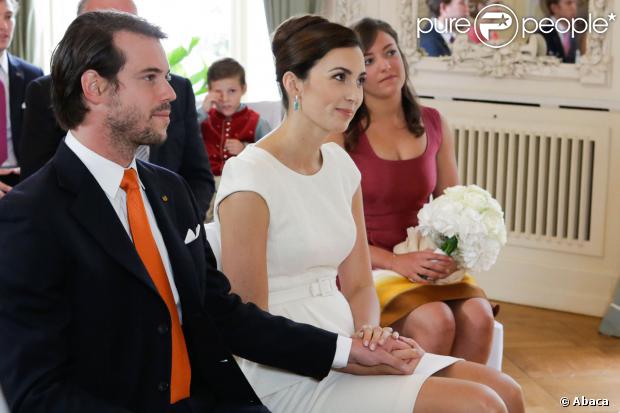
291,220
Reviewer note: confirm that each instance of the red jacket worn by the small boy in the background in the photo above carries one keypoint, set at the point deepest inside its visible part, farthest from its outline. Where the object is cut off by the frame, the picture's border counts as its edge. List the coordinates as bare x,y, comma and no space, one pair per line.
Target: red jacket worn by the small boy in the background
217,128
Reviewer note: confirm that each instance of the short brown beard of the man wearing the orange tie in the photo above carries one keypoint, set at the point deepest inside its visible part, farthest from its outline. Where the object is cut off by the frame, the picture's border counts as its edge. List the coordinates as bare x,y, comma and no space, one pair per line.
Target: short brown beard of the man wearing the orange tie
123,127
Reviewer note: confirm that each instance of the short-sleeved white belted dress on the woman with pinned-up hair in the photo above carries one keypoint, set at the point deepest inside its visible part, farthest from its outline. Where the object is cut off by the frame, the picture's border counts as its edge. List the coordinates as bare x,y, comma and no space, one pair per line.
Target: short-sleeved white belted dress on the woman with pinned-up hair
311,231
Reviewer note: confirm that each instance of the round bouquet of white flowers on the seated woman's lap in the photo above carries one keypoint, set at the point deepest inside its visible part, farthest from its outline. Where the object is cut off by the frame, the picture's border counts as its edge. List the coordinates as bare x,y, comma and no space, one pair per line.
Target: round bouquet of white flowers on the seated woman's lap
467,224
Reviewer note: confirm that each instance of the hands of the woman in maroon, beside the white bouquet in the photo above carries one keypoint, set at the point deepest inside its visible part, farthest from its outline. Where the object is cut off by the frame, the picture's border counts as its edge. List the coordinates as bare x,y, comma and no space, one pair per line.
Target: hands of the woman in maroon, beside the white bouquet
423,267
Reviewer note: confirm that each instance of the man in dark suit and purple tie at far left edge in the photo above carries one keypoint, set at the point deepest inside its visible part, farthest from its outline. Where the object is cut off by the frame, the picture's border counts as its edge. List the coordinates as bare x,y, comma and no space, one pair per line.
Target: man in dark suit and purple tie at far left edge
15,74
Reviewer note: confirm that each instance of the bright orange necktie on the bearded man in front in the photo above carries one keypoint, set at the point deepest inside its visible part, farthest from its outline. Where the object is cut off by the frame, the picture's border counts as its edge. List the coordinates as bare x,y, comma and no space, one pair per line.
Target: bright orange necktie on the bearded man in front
148,252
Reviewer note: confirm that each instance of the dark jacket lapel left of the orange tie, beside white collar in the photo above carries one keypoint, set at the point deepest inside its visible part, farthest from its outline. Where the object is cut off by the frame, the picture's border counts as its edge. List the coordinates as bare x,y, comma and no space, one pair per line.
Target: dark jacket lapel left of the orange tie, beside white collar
92,209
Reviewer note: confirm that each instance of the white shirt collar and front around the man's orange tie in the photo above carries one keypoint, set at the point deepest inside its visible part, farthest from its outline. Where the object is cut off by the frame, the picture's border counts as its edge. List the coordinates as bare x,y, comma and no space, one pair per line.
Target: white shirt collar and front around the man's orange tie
109,175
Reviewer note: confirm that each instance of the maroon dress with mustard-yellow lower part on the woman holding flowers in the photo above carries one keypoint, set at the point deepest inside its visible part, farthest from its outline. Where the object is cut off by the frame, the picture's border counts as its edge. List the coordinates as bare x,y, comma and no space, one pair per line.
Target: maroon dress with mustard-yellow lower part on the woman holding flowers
393,192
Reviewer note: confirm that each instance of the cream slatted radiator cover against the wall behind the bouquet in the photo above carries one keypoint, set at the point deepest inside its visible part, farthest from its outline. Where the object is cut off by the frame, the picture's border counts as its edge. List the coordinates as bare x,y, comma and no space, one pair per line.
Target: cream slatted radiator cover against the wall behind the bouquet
552,171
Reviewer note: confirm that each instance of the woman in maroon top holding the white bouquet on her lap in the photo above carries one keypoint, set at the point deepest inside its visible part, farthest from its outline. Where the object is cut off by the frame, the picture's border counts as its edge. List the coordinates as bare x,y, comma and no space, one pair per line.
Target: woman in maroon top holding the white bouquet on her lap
405,153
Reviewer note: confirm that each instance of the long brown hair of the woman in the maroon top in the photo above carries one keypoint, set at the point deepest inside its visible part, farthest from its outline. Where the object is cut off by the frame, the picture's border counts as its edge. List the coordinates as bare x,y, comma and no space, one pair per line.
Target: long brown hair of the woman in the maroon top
367,30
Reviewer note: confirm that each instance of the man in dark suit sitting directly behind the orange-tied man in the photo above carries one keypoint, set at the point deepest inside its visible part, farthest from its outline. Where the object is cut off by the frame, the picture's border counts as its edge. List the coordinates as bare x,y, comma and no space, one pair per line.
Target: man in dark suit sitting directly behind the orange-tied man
183,152
